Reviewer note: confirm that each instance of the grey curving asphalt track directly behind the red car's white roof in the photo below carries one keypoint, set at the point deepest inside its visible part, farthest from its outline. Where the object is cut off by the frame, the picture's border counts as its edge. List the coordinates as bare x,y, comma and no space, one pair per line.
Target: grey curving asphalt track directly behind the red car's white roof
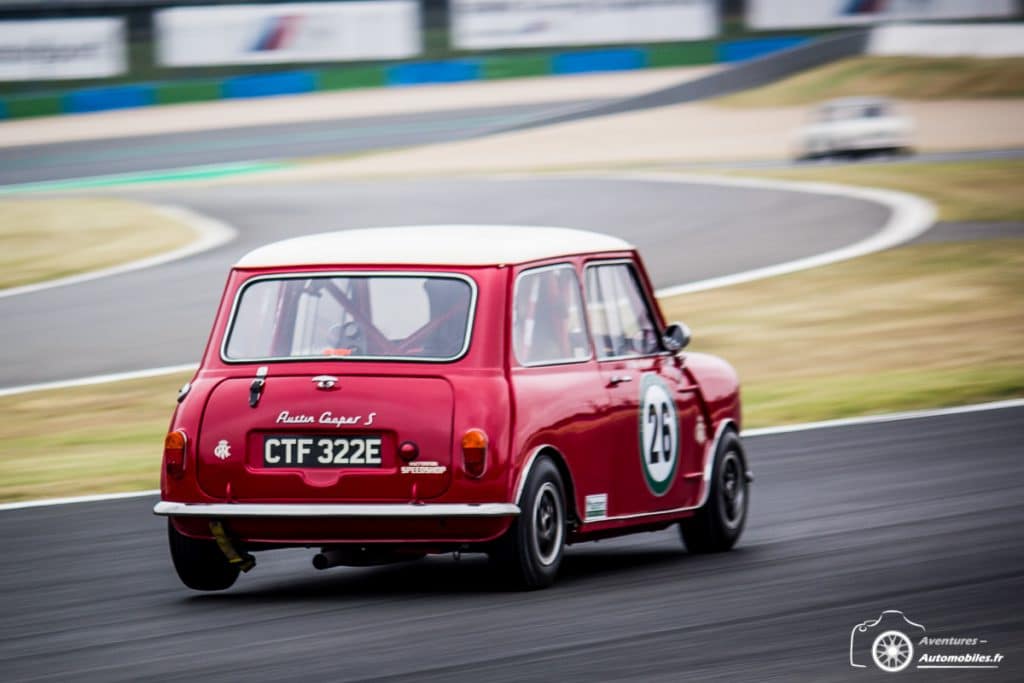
162,316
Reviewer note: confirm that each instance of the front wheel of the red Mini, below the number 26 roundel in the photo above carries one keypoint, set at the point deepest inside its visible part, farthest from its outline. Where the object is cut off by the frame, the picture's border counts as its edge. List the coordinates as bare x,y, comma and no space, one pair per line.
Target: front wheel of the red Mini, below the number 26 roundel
718,525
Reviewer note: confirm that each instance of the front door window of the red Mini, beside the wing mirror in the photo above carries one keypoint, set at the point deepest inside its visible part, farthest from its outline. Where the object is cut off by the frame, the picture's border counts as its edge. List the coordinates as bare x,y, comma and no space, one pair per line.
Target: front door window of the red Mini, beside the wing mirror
620,320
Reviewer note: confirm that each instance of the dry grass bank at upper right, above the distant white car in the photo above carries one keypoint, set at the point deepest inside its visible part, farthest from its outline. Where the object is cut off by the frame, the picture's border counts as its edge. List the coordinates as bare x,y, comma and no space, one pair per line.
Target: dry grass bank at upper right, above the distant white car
906,78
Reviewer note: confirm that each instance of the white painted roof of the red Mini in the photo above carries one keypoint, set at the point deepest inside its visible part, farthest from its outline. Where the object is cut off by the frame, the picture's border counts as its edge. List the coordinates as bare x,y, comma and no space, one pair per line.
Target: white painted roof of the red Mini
432,245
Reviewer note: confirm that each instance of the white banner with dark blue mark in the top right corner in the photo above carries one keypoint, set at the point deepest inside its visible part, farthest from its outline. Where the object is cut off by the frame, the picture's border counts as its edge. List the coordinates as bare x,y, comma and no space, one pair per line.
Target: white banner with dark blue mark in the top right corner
771,15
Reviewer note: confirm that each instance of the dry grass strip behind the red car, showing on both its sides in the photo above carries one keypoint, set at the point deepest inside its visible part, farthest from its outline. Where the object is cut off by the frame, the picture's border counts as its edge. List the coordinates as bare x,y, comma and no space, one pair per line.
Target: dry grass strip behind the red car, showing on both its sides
918,327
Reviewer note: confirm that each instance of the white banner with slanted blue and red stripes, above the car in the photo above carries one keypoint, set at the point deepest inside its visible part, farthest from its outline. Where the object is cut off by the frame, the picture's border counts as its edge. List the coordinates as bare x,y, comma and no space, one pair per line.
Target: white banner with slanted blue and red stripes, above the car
288,33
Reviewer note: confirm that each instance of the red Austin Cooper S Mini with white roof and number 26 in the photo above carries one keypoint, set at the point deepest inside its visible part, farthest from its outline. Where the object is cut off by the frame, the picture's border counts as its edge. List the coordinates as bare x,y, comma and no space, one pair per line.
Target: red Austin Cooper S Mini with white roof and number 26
388,394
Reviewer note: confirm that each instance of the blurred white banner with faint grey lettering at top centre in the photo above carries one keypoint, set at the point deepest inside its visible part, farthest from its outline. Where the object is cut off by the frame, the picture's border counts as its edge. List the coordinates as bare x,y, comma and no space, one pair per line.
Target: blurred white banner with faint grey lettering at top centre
496,24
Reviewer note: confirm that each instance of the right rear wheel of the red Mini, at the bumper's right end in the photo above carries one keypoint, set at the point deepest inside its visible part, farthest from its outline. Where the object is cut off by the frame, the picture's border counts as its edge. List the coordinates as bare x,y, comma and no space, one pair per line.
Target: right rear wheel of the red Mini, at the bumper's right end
531,552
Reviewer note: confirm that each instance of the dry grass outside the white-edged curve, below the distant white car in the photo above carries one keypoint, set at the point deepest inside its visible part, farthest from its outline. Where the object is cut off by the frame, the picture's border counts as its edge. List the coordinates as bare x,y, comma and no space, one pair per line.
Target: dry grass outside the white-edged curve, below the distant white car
976,191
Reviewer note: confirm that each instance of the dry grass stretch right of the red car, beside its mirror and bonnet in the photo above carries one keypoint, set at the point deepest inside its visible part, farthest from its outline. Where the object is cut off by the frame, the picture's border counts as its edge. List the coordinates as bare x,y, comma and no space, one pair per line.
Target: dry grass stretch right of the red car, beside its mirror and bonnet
918,327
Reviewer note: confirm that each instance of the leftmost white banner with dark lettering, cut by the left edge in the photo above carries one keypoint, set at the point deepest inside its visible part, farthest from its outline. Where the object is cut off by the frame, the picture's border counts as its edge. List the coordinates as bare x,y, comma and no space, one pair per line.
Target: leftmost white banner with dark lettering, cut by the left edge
54,50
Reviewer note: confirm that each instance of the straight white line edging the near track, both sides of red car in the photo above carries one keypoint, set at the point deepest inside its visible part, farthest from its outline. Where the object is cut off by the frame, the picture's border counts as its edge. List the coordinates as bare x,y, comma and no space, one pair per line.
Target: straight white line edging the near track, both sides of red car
748,434
